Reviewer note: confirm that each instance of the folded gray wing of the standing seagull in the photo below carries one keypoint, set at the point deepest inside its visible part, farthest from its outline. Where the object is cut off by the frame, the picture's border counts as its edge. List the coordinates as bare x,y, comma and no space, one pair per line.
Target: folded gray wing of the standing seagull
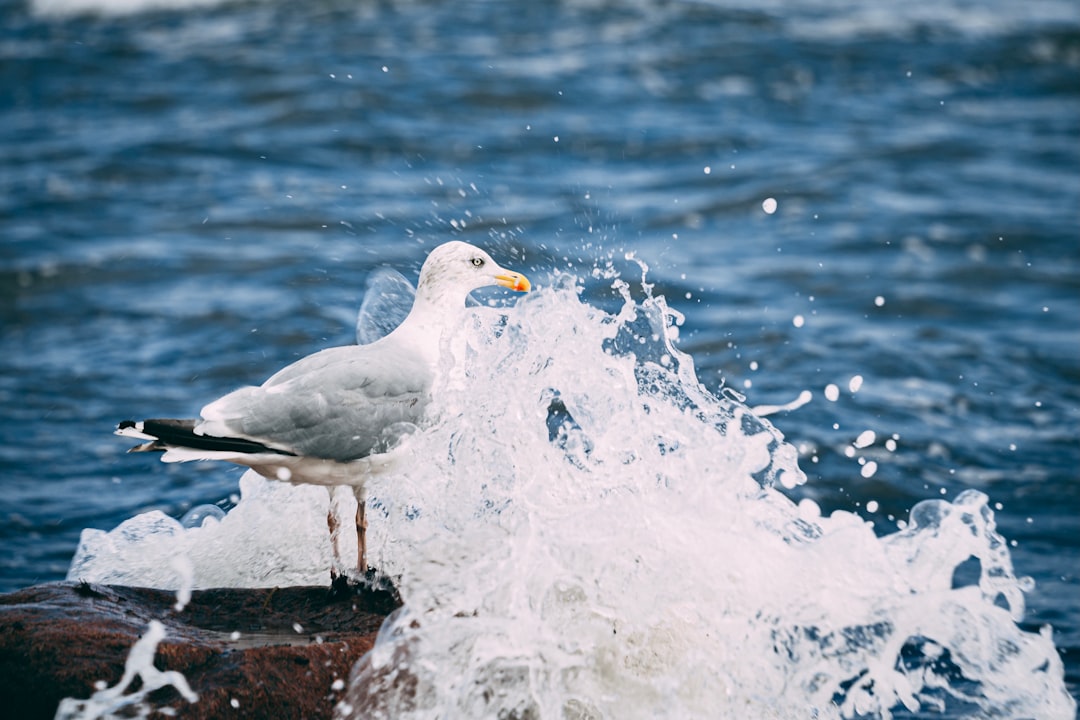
341,404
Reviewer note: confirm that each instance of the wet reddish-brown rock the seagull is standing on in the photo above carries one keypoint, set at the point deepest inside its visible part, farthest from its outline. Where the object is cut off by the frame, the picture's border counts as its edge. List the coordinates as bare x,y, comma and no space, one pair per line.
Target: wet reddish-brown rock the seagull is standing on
59,640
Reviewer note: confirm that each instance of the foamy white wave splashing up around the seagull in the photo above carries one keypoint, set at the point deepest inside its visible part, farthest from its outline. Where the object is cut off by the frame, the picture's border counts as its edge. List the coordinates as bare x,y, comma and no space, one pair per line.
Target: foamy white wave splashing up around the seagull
585,532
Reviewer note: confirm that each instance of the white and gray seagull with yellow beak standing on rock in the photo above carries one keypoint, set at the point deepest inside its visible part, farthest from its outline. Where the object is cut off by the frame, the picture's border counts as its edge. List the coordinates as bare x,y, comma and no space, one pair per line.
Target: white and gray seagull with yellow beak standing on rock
337,418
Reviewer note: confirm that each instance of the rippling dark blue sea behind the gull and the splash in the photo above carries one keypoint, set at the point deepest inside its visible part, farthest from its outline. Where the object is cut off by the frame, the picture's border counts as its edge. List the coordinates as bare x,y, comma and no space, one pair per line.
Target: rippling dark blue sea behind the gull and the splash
192,198
